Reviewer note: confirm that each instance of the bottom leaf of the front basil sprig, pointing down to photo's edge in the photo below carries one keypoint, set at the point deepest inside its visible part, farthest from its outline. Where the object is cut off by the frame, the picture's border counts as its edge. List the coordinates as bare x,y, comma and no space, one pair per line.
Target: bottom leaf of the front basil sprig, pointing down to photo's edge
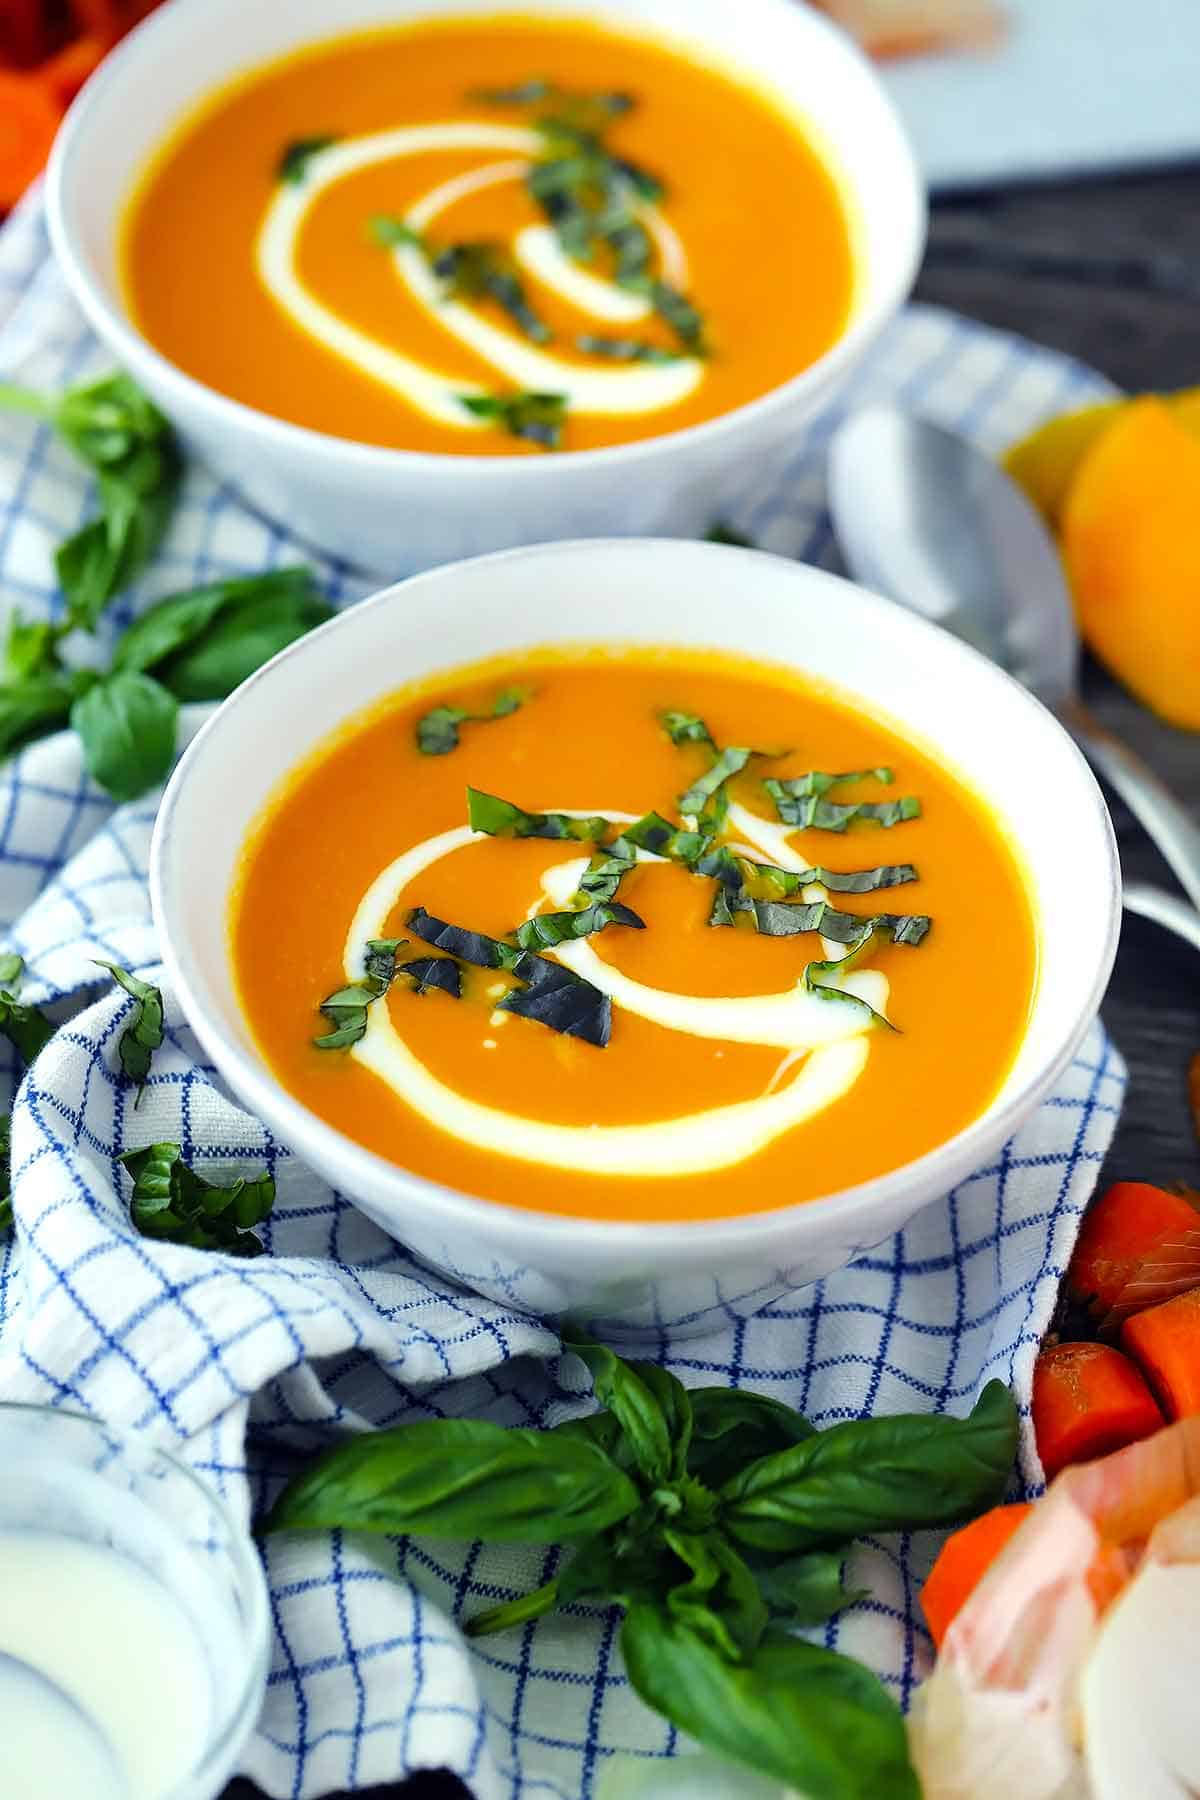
812,1720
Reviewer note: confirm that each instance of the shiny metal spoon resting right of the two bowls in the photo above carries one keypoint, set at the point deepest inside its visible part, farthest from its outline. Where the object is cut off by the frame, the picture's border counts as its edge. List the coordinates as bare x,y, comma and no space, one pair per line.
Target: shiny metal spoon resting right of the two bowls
931,521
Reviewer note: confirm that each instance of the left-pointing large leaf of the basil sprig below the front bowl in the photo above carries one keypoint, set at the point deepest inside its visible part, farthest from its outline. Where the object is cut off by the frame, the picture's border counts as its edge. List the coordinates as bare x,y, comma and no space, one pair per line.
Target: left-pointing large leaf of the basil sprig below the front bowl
460,1479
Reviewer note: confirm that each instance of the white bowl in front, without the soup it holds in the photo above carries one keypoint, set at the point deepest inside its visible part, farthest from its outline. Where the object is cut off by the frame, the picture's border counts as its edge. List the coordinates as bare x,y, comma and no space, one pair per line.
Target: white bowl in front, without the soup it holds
933,688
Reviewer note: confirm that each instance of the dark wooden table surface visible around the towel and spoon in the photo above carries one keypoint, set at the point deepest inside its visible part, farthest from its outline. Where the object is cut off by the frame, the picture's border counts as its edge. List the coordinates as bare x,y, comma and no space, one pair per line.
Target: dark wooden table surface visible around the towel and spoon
1111,273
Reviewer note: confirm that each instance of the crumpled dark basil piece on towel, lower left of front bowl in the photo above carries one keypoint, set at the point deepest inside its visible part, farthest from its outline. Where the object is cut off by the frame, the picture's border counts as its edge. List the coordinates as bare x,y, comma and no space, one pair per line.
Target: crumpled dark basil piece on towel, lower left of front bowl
170,1201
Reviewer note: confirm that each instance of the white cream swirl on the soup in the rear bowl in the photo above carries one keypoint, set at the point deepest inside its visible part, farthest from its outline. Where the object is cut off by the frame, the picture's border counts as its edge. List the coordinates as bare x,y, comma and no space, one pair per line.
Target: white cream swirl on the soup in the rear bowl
614,393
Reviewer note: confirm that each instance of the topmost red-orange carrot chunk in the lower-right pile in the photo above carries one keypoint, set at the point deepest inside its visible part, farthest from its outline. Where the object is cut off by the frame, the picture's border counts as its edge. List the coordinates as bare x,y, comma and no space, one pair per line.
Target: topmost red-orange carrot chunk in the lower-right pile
1127,1236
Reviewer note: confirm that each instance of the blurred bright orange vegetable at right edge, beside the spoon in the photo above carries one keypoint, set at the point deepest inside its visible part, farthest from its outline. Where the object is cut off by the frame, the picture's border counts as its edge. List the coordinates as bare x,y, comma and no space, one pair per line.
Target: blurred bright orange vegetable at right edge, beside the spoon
1133,553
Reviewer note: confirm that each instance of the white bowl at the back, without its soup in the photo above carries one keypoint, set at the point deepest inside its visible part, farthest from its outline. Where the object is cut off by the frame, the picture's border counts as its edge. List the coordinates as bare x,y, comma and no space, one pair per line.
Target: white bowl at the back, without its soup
402,510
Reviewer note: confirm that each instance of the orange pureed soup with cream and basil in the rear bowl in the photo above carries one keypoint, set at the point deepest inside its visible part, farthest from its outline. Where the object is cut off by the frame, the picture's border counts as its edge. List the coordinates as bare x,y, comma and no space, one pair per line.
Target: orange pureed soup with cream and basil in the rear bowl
490,237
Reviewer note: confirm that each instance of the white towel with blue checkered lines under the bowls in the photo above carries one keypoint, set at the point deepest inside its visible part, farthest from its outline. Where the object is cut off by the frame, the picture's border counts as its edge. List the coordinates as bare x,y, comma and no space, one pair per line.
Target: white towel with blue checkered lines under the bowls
238,1363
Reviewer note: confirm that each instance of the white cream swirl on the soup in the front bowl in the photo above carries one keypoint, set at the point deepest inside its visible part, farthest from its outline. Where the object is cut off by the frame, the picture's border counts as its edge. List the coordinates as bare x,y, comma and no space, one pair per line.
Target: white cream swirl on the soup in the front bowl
836,1052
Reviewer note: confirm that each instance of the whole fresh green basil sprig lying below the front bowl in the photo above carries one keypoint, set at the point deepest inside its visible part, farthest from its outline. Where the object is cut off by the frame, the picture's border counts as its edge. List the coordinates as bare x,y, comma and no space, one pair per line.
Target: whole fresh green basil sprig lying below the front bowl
704,1515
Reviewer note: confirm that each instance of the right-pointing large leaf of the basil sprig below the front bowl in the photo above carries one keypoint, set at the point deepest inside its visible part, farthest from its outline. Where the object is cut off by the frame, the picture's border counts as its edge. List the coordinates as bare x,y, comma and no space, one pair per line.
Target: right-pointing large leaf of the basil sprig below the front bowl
875,1475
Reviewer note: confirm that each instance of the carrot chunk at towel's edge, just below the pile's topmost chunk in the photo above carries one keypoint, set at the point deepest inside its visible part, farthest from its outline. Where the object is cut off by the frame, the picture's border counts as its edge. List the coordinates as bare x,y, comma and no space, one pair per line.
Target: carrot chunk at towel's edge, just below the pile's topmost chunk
1088,1399
